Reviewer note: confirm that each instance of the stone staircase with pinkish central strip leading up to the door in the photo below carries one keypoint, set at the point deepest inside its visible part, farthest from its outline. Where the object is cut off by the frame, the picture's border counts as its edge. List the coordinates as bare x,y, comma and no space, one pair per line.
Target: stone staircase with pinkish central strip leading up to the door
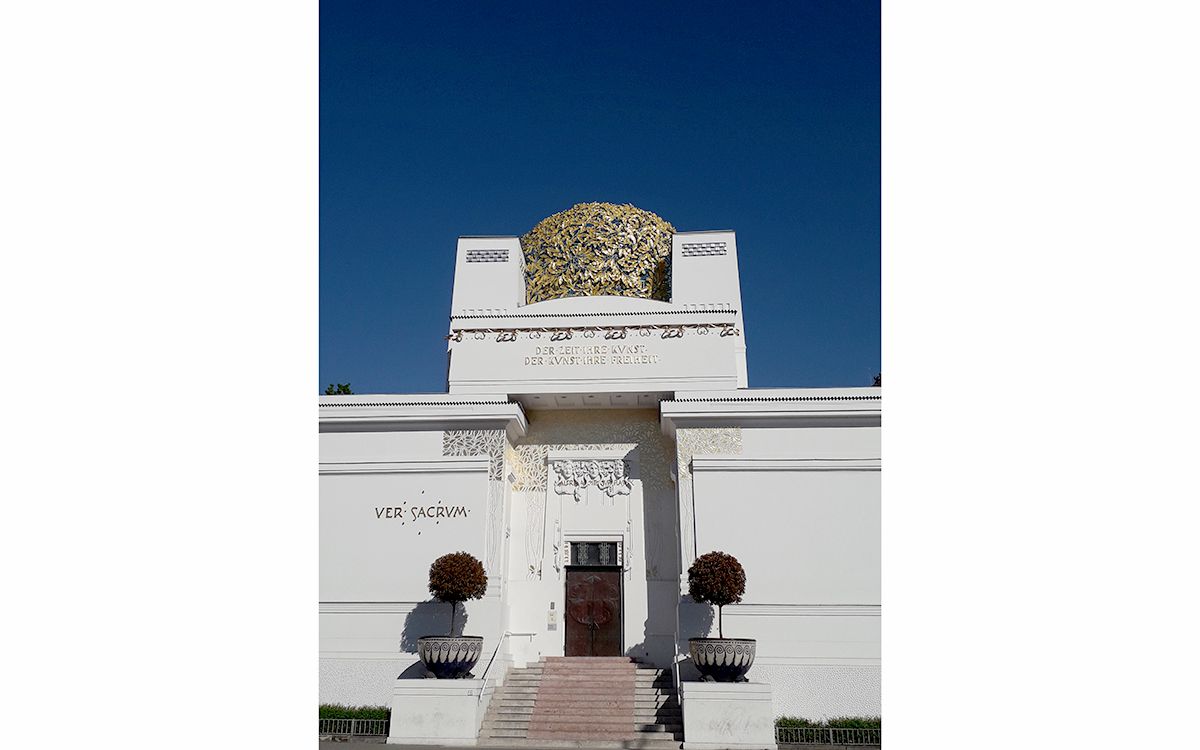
586,703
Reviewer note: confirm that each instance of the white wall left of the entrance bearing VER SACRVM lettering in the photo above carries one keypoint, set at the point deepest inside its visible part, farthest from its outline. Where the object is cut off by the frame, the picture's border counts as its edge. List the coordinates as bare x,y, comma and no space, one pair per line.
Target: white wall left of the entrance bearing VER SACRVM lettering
375,562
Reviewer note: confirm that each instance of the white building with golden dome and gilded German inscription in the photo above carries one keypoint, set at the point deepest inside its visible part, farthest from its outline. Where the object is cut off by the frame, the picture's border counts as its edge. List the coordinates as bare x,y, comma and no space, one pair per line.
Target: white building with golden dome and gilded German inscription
598,418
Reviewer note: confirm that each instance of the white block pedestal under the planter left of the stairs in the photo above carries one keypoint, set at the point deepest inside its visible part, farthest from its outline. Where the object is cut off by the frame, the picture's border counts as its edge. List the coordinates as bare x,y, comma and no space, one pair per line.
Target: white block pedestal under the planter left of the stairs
436,712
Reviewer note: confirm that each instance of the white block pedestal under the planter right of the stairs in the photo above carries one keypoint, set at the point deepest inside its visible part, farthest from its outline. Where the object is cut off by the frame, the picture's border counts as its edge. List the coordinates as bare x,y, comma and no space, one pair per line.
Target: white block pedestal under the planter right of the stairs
728,716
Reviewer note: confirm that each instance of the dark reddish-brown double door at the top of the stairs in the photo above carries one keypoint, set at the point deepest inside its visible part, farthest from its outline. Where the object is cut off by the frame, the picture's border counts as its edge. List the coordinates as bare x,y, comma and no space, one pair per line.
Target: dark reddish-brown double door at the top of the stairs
593,613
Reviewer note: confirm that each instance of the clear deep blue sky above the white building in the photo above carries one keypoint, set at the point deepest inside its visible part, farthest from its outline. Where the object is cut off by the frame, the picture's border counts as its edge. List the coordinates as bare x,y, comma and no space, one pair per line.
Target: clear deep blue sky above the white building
443,119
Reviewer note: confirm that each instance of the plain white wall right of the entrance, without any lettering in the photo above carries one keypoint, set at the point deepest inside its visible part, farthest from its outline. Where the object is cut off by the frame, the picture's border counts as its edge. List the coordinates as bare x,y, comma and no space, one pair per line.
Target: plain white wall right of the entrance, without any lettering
800,508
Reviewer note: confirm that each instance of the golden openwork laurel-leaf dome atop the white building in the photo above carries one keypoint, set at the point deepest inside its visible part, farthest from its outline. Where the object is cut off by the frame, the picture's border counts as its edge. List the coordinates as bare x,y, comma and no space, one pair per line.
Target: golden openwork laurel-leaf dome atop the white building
596,249
